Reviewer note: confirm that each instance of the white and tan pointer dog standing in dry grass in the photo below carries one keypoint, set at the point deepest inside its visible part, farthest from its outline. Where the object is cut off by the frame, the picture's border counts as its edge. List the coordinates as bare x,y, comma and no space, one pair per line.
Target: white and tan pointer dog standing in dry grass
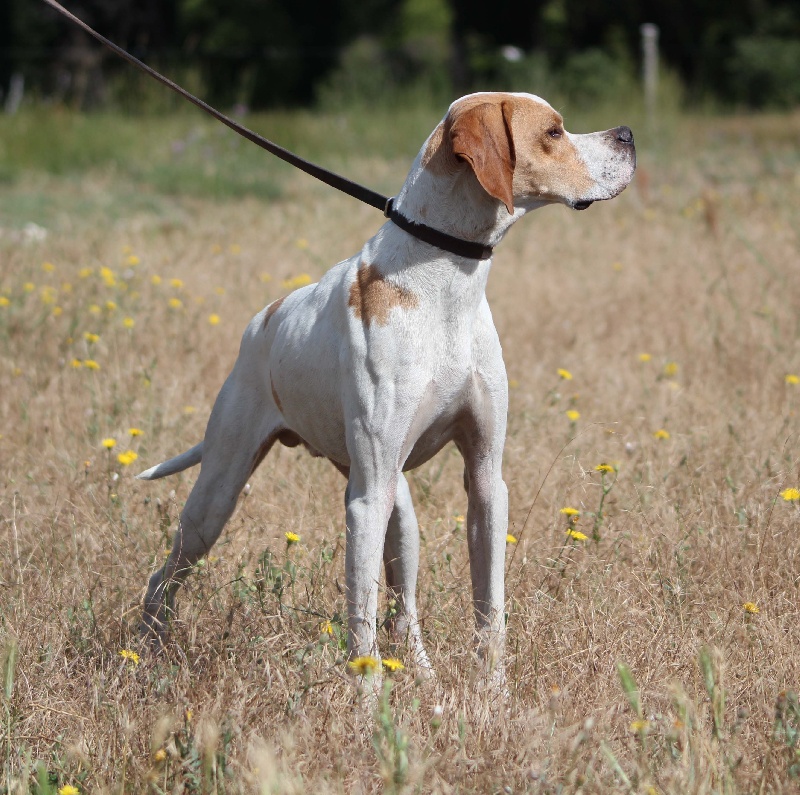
389,357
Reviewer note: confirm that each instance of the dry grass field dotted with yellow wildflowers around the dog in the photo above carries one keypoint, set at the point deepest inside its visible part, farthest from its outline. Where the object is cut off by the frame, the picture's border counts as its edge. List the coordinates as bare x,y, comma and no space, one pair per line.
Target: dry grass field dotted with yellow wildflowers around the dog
658,334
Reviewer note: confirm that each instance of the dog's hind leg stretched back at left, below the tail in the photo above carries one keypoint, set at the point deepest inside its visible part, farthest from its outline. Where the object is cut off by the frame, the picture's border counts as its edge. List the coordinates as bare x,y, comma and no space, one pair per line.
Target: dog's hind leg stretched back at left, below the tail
242,428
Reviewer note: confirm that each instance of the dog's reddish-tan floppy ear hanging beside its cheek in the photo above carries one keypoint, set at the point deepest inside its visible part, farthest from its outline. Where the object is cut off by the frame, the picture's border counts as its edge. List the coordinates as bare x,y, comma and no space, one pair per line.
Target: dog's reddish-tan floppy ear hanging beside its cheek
481,135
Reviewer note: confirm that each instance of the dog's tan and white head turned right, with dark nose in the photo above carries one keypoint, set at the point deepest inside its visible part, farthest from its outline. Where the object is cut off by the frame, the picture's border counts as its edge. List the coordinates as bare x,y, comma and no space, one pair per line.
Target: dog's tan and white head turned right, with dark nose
521,155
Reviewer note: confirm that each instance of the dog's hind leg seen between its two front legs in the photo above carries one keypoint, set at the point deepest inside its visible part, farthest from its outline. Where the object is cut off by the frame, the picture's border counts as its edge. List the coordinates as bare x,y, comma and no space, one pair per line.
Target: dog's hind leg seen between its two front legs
401,560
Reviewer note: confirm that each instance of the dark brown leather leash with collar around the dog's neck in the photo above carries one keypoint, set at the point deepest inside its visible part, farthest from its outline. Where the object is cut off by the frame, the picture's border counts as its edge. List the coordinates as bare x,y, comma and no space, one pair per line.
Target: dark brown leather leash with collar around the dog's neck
434,237
